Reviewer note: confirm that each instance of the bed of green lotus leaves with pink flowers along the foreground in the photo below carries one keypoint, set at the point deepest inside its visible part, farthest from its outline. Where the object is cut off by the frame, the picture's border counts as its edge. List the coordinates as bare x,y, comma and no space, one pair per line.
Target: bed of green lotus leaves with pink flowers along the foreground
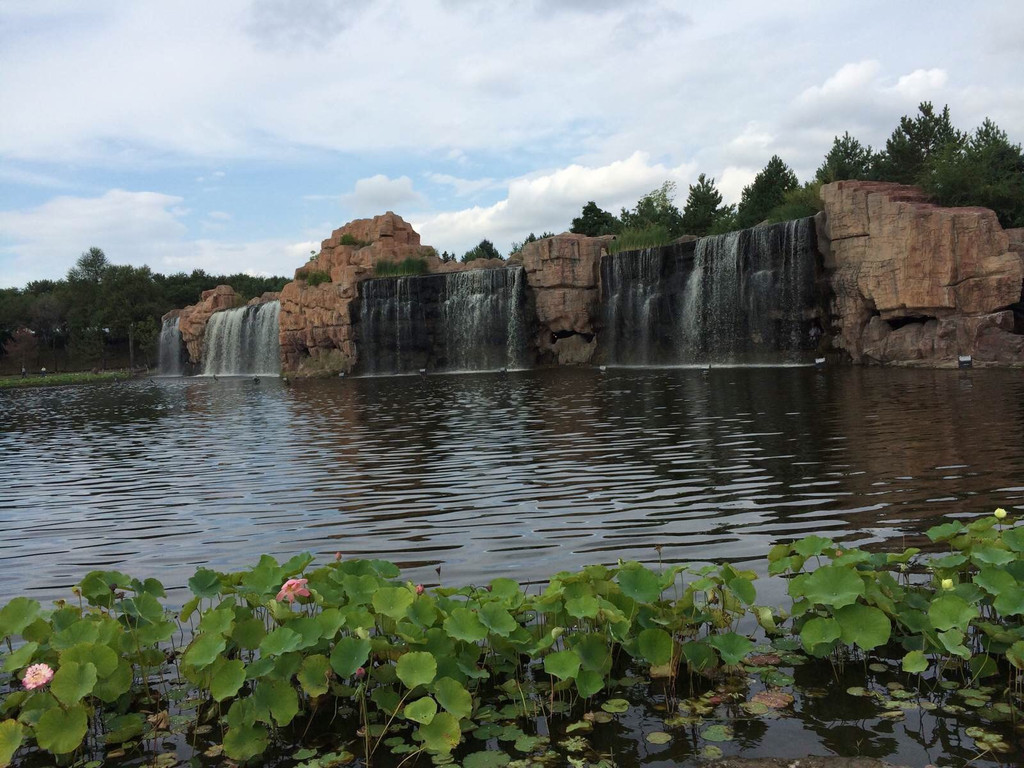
294,665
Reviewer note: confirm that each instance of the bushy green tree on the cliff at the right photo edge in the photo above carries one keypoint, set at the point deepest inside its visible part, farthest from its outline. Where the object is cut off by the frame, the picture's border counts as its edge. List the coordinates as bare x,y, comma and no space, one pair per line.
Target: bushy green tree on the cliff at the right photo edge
986,170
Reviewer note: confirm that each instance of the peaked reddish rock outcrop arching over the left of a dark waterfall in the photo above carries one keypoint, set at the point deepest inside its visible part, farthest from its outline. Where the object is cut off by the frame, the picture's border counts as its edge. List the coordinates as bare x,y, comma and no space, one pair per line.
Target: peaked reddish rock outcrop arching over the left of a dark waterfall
317,320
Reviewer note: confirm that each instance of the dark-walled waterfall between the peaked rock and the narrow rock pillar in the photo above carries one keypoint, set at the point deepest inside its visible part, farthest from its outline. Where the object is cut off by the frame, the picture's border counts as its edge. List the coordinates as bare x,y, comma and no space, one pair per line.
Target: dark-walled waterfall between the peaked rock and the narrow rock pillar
468,321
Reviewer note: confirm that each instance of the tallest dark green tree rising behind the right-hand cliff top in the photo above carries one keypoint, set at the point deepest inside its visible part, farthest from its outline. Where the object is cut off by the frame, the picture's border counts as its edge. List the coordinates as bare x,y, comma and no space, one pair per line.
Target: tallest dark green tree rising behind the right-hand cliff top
913,143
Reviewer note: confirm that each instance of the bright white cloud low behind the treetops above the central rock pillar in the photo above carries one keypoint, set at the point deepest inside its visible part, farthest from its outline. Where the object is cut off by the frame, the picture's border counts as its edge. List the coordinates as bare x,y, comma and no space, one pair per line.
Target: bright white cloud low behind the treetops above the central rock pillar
550,201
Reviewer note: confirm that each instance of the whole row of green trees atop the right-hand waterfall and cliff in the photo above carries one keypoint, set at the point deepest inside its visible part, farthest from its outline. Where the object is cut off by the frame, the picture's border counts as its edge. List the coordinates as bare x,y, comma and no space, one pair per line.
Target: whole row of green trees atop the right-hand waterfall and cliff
957,168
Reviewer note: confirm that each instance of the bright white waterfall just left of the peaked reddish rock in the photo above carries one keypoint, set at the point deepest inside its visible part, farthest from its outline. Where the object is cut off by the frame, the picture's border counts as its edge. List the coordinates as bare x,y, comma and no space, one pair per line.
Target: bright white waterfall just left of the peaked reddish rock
243,342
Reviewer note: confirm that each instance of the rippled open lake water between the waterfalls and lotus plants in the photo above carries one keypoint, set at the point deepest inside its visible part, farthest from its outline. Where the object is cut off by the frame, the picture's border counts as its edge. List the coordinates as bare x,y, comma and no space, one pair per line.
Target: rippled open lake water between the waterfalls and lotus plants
522,475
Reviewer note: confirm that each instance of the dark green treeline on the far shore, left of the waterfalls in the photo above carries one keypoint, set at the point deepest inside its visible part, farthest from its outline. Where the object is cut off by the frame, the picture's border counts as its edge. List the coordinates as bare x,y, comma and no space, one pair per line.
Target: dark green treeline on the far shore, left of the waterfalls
101,315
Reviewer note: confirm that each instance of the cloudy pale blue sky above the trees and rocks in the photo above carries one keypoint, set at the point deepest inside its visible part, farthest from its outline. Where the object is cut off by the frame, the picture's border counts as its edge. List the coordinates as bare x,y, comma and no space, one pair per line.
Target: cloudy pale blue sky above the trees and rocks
236,136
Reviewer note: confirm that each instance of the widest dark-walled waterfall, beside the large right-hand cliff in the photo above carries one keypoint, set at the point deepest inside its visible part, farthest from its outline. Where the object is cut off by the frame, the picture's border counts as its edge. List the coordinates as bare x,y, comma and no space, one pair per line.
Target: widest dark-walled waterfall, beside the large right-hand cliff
745,297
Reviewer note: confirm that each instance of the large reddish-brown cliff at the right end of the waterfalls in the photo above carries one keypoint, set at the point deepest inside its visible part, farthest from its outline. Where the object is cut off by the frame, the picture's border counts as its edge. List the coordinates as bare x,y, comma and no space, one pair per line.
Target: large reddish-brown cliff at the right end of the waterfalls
917,284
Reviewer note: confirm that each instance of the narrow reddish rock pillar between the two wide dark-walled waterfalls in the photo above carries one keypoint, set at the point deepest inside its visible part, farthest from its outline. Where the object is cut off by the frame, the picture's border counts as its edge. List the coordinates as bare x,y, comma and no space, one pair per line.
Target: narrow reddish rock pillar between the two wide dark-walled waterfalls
564,274
